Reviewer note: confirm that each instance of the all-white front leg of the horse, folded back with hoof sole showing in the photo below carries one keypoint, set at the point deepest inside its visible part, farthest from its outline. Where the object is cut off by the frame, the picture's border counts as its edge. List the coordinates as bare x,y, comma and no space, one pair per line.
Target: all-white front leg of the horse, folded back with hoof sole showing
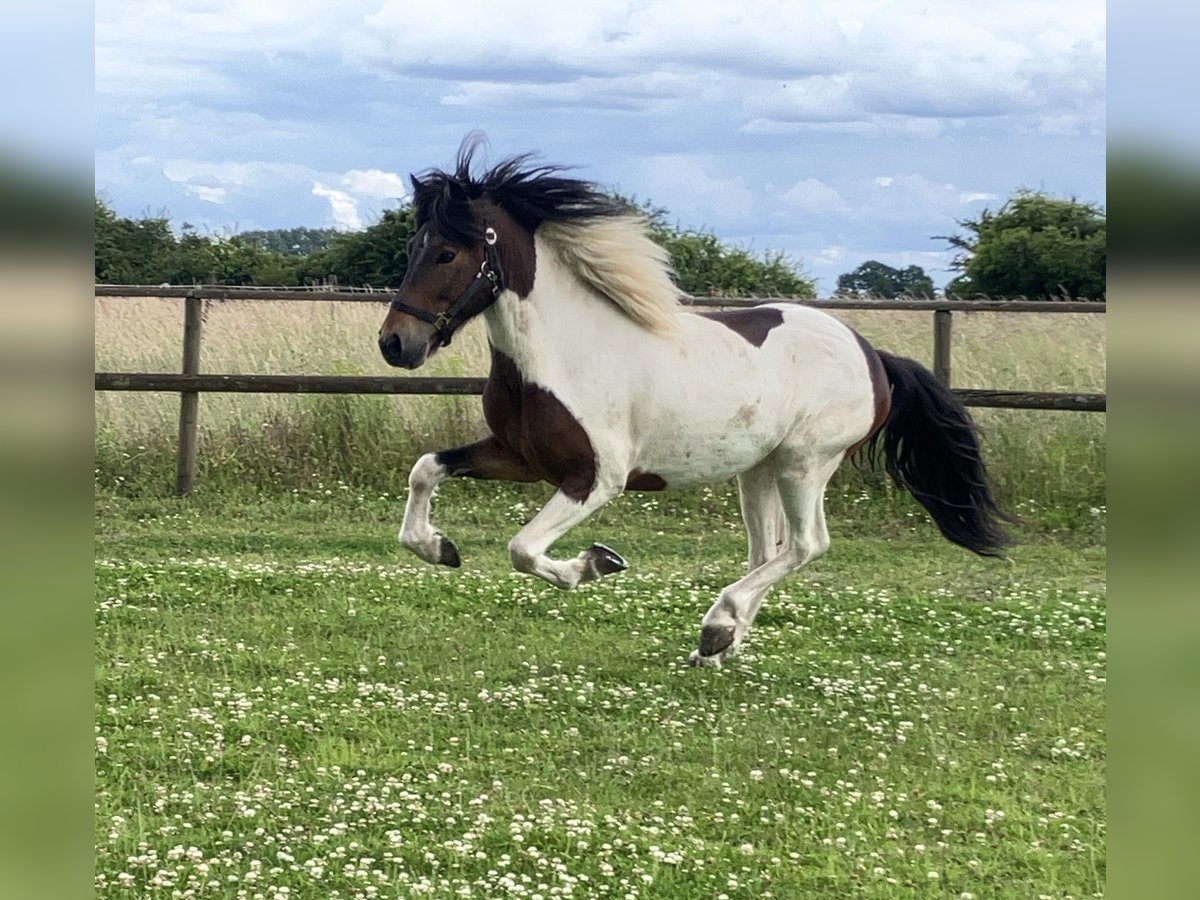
556,519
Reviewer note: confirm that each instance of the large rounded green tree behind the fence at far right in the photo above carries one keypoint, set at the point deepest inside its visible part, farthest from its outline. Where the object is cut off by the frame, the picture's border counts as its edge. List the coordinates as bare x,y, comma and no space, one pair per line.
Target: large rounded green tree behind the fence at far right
1036,247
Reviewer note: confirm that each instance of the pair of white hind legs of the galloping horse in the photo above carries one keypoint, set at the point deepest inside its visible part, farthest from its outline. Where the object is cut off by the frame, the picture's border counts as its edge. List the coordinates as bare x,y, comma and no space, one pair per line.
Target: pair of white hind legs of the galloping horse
797,491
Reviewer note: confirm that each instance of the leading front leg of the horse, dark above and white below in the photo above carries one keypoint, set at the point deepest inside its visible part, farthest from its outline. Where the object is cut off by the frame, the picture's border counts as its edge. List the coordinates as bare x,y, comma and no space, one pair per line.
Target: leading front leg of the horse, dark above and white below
485,460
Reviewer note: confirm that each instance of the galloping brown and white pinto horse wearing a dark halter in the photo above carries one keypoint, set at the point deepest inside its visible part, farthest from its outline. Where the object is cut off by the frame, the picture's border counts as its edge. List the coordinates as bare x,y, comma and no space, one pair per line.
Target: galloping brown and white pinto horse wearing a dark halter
604,381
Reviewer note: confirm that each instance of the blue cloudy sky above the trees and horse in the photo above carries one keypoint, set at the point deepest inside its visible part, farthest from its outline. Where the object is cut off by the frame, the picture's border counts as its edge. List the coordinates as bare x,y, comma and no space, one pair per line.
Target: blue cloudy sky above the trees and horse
836,133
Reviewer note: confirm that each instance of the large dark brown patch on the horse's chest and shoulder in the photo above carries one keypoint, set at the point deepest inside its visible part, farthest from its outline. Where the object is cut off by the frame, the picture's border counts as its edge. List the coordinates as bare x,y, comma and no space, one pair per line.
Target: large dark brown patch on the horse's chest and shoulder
533,424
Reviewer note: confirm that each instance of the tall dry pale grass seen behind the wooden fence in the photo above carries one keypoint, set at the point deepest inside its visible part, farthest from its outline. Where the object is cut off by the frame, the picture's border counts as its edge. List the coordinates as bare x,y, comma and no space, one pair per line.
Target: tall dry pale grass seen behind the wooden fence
265,442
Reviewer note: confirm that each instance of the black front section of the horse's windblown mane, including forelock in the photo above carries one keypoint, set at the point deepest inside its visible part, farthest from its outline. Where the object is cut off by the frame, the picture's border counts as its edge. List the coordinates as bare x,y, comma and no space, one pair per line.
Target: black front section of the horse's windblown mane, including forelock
529,193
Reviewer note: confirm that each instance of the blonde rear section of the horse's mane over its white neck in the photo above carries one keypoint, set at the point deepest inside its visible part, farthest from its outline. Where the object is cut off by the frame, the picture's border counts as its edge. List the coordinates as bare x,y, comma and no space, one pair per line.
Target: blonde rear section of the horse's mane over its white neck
616,257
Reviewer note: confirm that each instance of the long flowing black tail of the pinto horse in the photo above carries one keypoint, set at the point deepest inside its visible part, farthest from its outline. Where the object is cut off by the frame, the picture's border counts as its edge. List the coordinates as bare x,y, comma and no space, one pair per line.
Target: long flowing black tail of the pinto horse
932,449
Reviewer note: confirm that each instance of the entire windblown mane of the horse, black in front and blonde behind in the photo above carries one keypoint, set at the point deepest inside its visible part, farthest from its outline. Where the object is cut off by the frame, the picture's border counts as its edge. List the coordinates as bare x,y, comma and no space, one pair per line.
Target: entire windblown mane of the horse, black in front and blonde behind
596,236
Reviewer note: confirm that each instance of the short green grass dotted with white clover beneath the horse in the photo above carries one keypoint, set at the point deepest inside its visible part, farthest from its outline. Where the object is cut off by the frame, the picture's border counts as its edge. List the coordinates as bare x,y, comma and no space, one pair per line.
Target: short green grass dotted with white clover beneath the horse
290,706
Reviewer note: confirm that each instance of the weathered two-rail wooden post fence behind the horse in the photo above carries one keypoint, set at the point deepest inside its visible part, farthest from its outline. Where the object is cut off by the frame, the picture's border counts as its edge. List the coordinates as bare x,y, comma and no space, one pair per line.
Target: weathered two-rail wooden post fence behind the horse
190,383
